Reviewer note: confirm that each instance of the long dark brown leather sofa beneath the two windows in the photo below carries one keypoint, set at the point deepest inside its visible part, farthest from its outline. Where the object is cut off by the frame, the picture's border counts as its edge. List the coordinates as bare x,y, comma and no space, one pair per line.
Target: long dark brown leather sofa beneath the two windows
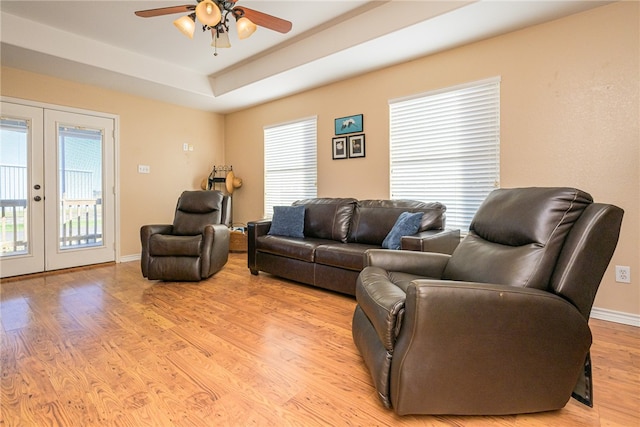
337,232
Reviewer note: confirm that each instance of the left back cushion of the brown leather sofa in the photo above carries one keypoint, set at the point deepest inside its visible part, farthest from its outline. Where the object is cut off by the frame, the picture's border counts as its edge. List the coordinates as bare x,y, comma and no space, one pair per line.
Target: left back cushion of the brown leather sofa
327,218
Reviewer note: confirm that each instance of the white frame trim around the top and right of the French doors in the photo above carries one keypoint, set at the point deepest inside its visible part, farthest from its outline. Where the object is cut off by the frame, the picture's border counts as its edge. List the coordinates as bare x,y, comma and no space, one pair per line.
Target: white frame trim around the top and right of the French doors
116,154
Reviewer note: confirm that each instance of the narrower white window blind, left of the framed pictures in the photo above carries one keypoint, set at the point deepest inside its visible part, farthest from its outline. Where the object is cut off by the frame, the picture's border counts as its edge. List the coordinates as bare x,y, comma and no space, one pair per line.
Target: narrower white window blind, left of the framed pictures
290,163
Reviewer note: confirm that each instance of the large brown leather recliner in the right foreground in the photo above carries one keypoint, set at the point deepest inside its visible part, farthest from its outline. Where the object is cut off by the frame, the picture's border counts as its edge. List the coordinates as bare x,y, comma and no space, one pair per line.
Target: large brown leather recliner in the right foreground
501,325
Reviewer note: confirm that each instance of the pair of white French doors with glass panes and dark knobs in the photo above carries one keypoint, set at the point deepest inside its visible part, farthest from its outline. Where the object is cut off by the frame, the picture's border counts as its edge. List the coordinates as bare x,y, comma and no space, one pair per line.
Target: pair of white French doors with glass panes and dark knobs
57,185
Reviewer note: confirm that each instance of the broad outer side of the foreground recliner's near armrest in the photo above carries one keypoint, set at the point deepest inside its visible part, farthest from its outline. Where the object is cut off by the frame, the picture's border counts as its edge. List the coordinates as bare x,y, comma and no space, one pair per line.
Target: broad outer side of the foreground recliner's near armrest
481,337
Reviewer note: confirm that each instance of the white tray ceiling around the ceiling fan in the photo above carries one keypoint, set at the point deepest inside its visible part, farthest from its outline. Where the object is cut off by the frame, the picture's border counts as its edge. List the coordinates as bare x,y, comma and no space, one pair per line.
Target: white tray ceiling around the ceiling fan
103,43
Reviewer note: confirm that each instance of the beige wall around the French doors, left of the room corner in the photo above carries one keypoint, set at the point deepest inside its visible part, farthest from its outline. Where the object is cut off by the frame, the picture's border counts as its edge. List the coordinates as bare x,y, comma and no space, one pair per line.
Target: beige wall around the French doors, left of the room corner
151,133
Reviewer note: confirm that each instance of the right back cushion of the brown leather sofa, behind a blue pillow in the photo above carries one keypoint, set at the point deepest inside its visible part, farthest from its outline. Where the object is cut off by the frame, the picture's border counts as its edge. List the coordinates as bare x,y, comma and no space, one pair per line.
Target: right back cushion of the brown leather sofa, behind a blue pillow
373,219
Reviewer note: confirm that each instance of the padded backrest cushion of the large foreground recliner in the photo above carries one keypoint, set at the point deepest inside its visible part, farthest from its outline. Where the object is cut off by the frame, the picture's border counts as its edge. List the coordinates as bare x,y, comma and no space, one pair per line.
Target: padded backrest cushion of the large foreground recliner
516,236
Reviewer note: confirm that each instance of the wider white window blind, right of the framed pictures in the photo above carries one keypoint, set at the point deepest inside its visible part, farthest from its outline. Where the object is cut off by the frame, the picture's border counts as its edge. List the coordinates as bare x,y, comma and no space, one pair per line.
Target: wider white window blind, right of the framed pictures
445,147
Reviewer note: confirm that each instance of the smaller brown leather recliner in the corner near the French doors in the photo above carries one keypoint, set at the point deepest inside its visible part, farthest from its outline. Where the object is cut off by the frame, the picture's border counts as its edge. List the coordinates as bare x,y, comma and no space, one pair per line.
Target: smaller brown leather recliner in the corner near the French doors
195,246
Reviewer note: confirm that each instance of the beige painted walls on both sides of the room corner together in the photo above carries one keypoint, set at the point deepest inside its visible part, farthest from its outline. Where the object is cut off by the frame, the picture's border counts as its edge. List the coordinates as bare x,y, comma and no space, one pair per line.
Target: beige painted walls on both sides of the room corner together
569,105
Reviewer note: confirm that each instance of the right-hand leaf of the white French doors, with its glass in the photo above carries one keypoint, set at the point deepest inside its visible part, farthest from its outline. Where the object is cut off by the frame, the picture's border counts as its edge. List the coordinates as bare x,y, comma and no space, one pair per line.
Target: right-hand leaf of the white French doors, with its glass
80,214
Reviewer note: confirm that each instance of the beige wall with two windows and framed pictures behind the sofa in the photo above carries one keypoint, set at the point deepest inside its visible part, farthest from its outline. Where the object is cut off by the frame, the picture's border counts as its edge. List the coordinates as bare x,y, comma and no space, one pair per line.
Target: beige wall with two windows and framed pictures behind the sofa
569,117
